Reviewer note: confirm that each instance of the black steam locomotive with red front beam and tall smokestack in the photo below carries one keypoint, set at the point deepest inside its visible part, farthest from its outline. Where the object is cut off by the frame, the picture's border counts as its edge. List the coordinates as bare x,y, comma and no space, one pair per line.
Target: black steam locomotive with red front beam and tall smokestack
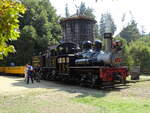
90,66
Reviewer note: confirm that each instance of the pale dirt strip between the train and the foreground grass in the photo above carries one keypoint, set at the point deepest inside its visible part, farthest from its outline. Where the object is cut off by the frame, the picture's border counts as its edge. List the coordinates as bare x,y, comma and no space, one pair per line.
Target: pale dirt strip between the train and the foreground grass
12,84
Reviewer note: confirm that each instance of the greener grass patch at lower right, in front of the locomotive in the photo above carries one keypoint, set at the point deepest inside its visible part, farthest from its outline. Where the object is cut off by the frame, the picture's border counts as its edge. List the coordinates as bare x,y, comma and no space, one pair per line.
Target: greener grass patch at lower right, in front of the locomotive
117,102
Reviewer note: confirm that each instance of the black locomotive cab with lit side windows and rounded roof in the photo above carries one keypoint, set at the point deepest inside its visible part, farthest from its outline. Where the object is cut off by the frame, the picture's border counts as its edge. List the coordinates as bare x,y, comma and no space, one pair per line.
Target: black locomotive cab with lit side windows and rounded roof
66,57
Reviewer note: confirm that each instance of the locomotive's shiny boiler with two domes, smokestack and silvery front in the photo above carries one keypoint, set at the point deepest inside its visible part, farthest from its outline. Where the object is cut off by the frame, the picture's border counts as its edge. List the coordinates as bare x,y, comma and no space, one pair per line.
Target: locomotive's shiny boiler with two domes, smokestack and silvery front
97,56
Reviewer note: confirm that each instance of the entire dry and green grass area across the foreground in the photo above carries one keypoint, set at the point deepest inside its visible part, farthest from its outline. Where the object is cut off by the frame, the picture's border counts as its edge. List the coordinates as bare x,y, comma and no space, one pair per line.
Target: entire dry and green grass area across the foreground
130,100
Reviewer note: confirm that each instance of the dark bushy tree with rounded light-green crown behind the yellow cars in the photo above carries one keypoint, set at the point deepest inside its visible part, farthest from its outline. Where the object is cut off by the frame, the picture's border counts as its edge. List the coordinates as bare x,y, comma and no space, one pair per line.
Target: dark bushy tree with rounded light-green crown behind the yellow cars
24,46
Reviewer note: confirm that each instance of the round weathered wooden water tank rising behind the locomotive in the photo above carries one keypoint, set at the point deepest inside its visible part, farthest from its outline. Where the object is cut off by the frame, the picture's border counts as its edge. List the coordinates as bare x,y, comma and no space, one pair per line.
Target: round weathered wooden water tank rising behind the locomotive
78,29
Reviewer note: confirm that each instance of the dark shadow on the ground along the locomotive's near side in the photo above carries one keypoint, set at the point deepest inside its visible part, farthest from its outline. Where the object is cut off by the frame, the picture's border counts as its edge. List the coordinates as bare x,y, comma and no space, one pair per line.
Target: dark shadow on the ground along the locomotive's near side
72,89
